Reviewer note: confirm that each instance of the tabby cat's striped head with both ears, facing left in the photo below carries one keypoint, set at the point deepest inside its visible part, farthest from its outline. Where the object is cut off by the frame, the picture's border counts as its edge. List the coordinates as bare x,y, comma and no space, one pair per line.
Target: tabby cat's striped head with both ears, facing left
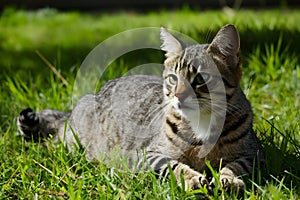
201,72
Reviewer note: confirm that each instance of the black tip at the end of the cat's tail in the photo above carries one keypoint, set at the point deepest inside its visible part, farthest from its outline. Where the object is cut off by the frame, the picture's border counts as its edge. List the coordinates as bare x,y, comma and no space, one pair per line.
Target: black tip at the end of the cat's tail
27,123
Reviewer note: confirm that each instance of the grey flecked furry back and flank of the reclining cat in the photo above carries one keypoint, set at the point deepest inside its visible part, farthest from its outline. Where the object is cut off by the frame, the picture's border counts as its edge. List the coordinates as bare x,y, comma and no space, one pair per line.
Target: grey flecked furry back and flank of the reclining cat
121,114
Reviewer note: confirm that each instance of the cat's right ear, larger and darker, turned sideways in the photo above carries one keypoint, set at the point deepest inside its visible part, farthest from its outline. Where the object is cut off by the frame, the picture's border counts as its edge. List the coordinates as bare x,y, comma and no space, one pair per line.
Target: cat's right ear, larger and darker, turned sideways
226,44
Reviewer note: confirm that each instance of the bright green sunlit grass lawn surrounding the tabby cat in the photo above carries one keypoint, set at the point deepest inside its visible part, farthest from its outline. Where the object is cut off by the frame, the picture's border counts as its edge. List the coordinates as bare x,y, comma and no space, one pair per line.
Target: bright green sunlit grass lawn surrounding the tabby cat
271,80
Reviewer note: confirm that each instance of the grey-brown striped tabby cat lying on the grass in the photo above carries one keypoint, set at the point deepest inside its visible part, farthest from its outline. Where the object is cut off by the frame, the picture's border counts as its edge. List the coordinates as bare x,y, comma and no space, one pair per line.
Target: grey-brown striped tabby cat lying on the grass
175,122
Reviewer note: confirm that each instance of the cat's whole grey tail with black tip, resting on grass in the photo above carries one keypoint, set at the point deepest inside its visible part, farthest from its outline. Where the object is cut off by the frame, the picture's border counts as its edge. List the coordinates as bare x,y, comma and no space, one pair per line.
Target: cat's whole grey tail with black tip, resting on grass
39,126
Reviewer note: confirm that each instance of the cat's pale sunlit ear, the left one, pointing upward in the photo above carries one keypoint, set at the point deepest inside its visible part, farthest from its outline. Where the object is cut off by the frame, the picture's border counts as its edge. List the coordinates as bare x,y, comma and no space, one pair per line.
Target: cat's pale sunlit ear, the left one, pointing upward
170,44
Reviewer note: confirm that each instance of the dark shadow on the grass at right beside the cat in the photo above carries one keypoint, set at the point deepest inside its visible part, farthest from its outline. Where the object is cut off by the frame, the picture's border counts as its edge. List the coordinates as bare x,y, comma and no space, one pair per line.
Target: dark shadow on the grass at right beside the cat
282,155
